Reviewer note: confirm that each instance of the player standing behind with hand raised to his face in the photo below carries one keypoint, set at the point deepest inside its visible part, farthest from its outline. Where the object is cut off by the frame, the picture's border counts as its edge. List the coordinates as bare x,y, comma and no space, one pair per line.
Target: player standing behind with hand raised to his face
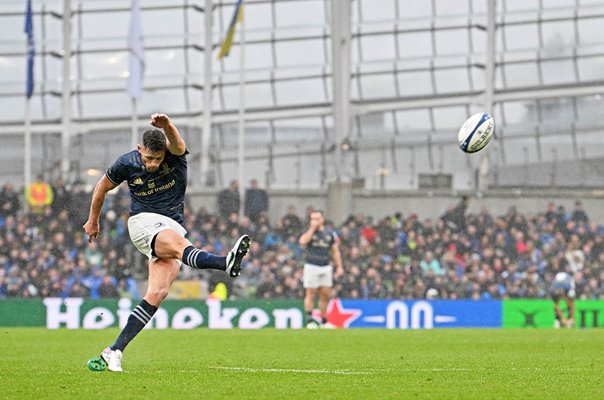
321,245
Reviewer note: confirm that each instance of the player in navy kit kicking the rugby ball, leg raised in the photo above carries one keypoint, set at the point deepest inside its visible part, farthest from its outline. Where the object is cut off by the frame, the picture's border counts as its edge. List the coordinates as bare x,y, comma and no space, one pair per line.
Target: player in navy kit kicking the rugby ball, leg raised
156,173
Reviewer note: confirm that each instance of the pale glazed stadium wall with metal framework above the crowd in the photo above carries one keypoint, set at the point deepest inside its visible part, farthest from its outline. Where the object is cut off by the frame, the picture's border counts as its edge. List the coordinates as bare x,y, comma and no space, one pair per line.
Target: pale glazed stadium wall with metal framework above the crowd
332,89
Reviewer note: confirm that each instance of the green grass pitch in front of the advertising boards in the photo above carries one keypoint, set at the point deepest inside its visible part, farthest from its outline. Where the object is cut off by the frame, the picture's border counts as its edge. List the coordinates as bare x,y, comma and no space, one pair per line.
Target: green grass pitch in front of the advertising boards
372,364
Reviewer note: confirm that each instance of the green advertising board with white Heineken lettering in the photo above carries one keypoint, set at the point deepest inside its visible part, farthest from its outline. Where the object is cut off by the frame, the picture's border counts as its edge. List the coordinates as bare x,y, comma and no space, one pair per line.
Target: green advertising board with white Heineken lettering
76,313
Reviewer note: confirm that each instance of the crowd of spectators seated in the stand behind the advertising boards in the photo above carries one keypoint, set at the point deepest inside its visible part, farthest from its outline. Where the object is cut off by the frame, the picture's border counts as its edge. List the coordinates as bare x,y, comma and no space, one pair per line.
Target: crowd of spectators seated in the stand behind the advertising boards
44,252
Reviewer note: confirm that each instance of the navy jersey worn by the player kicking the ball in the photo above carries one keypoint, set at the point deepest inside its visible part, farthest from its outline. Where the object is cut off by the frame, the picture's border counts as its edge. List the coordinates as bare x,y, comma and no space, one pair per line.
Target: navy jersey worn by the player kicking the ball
161,192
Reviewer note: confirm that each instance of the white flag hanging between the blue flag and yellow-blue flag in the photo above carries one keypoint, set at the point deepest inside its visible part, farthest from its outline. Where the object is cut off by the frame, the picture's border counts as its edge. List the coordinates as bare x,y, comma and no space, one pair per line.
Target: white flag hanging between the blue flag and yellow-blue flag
137,52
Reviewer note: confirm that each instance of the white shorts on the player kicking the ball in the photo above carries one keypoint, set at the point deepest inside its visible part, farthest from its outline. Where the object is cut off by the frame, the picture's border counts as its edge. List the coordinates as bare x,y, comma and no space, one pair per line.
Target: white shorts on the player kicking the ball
144,226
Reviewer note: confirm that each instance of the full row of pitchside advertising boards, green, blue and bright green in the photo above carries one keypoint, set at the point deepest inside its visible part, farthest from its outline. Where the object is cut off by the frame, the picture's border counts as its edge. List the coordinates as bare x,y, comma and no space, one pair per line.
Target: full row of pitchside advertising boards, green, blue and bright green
74,313
